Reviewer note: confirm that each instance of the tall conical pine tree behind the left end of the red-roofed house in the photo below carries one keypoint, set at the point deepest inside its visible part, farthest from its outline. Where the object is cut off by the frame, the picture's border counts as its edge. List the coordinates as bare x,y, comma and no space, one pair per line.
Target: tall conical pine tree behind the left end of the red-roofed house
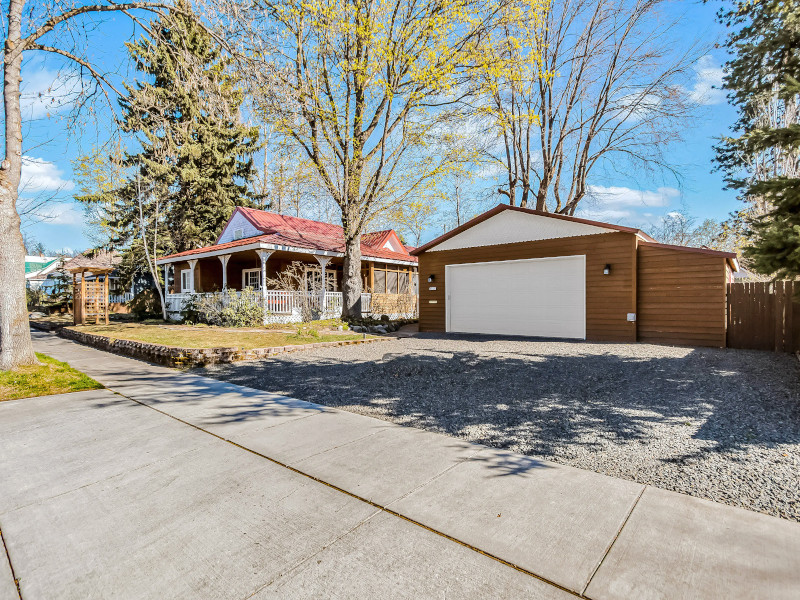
195,154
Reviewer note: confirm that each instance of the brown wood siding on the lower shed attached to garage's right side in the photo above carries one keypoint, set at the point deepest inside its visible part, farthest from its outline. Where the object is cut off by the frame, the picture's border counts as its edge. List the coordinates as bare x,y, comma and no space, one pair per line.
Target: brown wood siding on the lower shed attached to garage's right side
681,297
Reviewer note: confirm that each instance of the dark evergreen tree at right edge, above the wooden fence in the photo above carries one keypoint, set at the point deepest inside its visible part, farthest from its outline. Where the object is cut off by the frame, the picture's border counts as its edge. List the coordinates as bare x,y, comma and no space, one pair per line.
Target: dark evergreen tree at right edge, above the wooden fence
762,162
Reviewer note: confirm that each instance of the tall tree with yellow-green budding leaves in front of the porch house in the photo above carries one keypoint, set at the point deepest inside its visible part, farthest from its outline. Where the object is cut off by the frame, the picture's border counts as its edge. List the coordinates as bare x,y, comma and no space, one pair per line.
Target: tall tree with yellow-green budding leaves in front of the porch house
361,86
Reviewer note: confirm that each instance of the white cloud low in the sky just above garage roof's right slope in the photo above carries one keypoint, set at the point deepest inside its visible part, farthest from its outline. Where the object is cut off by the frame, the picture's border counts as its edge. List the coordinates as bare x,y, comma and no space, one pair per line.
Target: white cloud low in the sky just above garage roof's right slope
623,205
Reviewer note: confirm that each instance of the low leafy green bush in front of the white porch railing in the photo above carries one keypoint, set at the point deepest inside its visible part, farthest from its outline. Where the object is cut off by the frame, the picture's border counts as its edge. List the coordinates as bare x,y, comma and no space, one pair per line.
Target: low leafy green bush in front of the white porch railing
227,309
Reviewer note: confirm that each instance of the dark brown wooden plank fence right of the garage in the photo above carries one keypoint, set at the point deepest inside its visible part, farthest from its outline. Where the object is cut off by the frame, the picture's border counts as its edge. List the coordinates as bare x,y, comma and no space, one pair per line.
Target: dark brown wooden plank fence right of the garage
764,316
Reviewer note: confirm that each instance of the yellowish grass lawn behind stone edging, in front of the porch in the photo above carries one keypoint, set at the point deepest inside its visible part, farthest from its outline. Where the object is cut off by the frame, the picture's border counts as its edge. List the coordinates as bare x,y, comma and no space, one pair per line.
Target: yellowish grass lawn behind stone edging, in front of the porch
183,336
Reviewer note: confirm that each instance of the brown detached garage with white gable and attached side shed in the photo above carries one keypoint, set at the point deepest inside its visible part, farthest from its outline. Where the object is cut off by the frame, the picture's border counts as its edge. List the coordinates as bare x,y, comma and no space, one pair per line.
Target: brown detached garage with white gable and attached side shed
516,271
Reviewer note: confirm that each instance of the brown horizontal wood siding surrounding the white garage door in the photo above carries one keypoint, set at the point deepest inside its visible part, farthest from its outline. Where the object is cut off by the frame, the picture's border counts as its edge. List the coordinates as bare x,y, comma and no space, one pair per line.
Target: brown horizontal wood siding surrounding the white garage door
609,298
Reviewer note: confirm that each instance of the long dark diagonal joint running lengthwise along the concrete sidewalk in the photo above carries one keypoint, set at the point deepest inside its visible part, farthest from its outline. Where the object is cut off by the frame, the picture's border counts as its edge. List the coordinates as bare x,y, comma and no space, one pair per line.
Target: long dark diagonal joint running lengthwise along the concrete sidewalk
367,501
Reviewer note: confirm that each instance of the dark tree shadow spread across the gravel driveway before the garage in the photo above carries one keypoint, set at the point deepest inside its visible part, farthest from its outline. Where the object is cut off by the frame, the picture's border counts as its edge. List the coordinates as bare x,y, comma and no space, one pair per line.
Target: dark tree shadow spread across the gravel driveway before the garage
538,402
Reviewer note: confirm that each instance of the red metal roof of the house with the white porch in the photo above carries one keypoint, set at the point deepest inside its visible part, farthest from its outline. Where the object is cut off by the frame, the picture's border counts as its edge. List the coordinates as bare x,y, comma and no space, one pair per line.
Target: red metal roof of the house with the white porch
285,230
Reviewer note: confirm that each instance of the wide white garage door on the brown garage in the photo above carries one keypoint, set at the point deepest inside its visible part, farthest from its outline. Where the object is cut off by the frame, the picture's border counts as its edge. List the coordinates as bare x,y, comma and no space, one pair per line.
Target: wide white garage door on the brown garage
542,297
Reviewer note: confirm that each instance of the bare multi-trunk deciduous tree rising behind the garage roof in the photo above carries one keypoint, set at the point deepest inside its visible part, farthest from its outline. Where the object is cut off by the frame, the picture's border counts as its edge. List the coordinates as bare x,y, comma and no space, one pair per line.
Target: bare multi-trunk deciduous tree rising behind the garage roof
605,87
